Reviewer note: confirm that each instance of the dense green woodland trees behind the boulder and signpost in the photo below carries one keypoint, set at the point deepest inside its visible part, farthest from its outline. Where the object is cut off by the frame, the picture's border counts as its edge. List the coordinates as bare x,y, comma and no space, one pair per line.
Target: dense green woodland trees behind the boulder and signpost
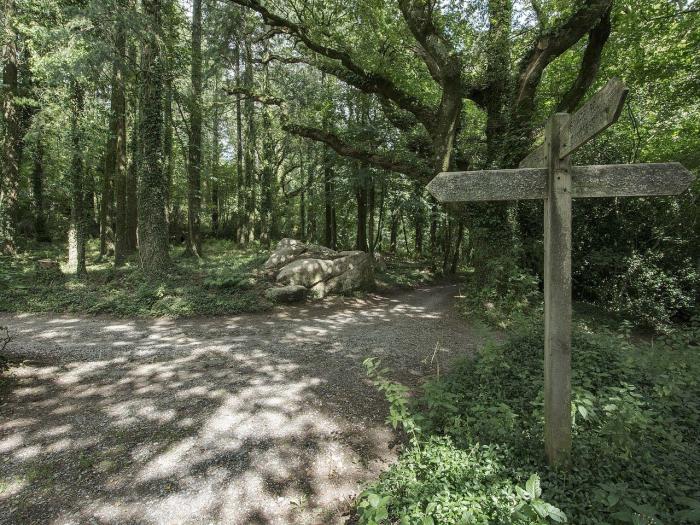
148,124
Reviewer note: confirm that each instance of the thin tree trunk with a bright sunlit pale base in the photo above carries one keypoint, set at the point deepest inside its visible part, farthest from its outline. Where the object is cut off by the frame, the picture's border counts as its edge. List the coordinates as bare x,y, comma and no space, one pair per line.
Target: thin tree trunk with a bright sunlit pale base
77,230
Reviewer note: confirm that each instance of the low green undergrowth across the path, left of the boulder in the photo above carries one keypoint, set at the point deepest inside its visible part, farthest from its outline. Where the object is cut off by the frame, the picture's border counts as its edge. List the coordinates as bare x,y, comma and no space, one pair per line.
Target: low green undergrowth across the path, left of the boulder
226,281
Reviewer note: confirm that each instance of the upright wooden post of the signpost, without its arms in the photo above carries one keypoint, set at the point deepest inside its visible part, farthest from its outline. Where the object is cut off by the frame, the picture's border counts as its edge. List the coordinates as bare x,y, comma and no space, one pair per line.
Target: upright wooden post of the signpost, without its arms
557,290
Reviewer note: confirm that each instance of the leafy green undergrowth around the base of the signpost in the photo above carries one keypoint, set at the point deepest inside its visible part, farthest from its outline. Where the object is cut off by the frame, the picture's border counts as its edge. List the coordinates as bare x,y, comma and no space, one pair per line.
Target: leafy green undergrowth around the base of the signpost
476,451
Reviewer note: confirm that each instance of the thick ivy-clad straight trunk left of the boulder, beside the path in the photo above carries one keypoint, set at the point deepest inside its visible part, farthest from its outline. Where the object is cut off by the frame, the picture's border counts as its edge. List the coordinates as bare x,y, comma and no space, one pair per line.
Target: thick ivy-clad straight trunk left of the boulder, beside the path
152,226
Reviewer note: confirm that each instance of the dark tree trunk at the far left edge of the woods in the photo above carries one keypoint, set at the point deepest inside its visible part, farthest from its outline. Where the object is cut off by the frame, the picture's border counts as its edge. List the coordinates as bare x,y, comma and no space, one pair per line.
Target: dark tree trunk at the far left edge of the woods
9,172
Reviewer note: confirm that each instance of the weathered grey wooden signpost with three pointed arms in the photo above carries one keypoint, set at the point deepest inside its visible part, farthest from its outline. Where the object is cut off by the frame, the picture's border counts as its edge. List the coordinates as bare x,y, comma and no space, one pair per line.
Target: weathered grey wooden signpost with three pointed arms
547,174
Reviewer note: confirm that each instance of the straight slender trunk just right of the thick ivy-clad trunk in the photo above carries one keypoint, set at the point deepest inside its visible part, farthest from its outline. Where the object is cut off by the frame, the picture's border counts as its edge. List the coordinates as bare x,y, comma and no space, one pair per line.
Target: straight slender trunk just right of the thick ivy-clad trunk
194,164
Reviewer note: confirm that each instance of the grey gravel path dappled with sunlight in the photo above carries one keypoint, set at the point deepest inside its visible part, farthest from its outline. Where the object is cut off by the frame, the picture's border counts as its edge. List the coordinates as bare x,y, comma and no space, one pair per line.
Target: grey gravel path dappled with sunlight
254,419
